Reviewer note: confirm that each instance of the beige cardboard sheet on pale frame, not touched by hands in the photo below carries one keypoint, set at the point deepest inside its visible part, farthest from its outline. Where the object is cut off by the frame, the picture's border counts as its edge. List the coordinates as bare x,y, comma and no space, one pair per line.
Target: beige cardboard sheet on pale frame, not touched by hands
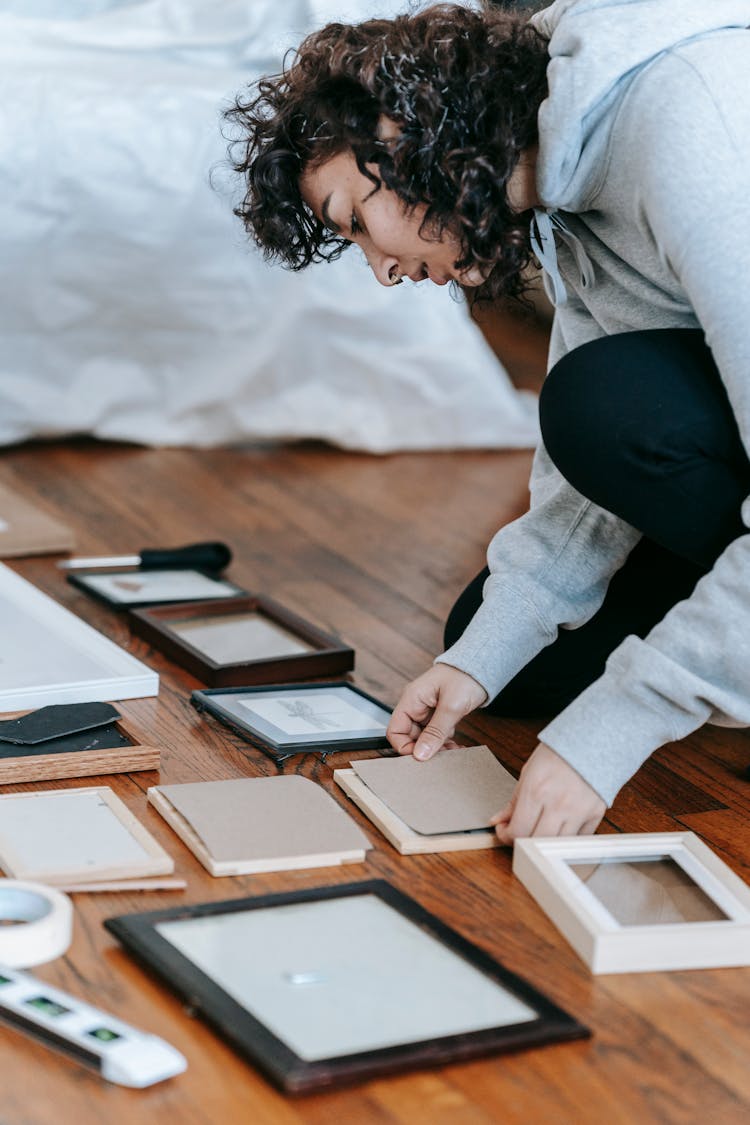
265,818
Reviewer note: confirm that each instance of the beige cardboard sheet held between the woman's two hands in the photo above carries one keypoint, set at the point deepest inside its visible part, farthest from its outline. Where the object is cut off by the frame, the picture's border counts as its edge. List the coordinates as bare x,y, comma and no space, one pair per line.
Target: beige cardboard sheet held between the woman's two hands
457,791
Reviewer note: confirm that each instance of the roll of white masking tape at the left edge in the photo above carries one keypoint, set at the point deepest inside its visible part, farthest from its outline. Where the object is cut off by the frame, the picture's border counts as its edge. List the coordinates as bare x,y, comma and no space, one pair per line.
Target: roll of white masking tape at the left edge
37,924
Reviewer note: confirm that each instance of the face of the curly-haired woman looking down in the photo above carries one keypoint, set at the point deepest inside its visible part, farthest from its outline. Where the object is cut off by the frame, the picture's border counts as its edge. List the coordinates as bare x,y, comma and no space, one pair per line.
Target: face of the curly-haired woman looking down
382,226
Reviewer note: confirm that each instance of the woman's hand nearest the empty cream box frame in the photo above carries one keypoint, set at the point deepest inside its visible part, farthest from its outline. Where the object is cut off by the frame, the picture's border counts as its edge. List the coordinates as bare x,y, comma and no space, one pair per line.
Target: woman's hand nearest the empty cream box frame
552,799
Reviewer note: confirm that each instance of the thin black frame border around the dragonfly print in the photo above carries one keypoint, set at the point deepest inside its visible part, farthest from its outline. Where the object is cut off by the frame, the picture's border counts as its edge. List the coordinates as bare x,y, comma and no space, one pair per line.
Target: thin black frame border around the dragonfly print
212,701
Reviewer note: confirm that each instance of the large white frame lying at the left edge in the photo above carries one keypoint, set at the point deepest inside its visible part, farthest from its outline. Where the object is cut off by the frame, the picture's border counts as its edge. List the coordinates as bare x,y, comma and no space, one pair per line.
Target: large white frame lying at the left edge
123,677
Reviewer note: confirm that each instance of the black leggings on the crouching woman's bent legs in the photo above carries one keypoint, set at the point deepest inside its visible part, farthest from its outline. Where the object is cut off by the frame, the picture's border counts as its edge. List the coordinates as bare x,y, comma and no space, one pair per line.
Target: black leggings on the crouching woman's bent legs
641,425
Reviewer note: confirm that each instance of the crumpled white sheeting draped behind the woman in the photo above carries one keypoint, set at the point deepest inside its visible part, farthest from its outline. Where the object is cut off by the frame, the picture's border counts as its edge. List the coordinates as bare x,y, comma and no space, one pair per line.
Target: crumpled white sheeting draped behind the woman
133,308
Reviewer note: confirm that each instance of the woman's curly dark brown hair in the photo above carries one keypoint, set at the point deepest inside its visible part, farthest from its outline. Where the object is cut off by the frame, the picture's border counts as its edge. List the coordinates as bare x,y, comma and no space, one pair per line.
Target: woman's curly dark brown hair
465,88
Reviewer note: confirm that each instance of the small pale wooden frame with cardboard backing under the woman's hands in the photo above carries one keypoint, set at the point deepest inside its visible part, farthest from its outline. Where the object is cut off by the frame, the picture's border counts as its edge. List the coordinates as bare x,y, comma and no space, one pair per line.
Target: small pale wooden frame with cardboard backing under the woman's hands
439,806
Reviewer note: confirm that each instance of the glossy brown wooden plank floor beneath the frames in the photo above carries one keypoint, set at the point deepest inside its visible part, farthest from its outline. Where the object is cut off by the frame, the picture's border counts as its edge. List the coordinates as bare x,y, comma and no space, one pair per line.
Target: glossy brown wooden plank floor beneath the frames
374,550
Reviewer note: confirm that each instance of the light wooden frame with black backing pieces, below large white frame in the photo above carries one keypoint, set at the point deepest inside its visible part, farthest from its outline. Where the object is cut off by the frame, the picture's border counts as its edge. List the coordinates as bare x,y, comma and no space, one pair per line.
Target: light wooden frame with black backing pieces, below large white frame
91,750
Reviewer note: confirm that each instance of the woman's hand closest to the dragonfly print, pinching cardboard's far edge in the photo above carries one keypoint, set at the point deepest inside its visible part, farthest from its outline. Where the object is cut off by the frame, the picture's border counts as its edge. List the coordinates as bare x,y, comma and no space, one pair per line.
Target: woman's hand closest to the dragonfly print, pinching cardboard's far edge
430,709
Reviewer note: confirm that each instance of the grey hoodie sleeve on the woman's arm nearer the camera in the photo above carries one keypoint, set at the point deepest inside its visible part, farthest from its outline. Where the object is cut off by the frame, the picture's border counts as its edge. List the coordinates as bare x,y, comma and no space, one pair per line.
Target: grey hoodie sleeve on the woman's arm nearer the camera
694,667
